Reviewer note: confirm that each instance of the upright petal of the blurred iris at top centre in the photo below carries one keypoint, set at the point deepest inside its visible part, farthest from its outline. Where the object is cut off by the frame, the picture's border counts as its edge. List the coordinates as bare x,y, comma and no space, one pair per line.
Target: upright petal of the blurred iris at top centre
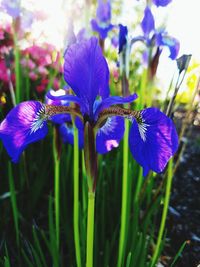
103,11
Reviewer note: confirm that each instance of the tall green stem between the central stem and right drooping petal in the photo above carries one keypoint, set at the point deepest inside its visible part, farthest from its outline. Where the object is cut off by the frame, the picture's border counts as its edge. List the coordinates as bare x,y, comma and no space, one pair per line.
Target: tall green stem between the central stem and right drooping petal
125,189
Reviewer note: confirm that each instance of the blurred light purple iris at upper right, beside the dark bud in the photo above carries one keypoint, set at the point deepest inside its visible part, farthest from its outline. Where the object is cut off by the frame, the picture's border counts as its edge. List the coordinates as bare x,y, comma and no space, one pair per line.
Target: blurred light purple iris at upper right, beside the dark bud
160,38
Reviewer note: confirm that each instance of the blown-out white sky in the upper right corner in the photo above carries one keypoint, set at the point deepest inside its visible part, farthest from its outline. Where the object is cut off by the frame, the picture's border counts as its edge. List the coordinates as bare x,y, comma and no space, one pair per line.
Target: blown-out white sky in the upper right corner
183,22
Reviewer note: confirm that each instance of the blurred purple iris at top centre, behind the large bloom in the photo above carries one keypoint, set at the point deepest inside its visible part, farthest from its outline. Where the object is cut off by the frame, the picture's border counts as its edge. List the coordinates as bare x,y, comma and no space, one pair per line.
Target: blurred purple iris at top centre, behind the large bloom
101,23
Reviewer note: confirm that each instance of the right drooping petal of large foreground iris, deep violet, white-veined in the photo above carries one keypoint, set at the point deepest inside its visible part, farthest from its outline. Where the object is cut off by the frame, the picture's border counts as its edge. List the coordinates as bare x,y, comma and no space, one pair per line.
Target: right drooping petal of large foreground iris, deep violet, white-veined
153,141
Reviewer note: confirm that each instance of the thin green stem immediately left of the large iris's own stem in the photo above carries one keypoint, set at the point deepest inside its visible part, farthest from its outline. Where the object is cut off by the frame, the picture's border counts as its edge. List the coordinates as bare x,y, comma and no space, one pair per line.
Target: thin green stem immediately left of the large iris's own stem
76,199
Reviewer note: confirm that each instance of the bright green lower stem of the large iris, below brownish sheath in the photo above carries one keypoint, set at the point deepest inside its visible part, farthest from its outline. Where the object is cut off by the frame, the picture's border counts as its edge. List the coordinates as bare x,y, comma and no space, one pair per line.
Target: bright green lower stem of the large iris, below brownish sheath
90,229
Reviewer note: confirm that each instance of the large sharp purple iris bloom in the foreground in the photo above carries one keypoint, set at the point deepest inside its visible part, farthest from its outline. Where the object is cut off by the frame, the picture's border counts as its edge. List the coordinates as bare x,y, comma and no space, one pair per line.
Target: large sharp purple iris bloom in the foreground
152,138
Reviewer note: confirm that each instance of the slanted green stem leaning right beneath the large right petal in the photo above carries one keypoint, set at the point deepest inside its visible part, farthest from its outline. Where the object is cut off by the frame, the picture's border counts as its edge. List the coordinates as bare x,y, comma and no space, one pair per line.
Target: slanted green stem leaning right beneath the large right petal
164,213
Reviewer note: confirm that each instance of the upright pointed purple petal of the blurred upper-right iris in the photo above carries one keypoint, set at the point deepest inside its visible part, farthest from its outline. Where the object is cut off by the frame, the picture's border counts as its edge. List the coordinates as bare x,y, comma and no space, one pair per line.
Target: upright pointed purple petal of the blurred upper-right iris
148,23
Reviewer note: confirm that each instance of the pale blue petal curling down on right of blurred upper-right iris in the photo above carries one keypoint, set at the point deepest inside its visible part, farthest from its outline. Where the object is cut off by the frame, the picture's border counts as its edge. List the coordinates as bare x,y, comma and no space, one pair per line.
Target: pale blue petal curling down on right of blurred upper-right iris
172,43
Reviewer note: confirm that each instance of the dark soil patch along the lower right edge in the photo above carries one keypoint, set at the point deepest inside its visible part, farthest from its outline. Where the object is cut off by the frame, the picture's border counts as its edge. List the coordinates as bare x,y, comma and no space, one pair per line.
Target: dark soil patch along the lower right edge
184,212
